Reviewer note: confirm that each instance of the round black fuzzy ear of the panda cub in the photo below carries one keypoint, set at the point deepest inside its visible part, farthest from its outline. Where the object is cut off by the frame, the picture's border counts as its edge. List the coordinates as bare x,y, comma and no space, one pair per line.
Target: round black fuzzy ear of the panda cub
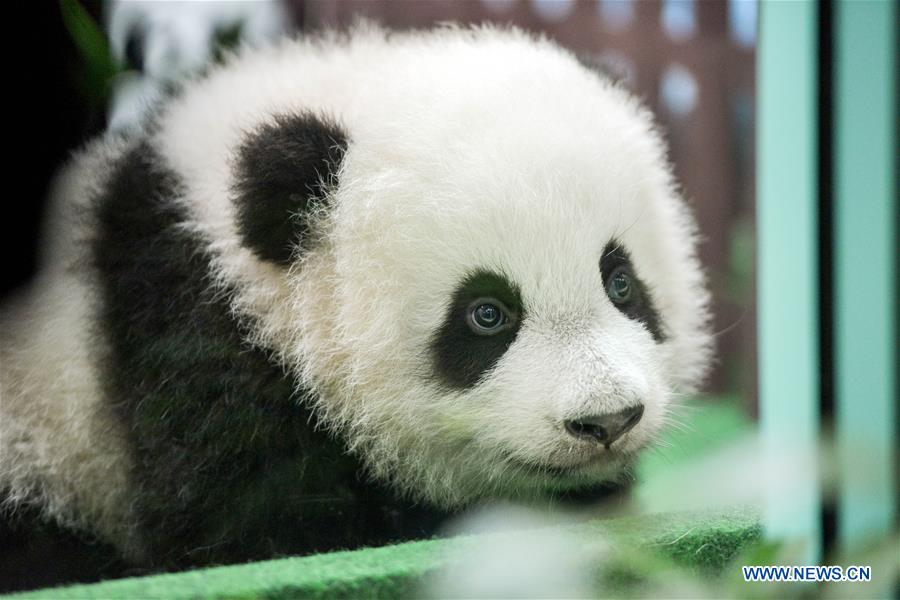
283,170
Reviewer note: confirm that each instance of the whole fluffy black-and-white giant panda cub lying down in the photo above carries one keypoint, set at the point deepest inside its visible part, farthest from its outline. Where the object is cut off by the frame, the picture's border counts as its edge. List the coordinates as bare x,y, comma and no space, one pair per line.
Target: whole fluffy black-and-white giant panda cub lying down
340,288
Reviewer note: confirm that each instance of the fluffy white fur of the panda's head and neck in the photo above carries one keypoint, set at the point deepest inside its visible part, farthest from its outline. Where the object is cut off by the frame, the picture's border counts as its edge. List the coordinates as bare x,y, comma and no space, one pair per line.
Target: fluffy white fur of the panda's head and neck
468,149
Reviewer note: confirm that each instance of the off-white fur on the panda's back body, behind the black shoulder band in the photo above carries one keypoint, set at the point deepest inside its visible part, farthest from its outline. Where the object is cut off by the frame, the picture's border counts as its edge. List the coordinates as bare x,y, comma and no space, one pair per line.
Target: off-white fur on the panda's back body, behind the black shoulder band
61,448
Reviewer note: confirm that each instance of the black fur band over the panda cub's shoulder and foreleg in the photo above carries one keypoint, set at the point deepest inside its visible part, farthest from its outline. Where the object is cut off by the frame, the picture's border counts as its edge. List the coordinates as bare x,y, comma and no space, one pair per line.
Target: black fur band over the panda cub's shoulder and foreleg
229,466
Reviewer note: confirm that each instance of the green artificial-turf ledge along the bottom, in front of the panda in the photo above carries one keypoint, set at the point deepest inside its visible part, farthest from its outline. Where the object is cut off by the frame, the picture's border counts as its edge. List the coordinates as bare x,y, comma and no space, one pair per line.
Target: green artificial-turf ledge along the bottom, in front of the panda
707,541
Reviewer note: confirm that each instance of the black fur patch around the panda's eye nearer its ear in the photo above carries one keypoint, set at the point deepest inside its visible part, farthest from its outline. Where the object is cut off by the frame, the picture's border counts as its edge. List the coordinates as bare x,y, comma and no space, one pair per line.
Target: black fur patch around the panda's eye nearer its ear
462,357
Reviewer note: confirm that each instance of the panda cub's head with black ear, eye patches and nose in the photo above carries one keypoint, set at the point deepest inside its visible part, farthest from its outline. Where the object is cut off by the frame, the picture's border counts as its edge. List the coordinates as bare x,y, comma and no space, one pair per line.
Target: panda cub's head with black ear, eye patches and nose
487,279
